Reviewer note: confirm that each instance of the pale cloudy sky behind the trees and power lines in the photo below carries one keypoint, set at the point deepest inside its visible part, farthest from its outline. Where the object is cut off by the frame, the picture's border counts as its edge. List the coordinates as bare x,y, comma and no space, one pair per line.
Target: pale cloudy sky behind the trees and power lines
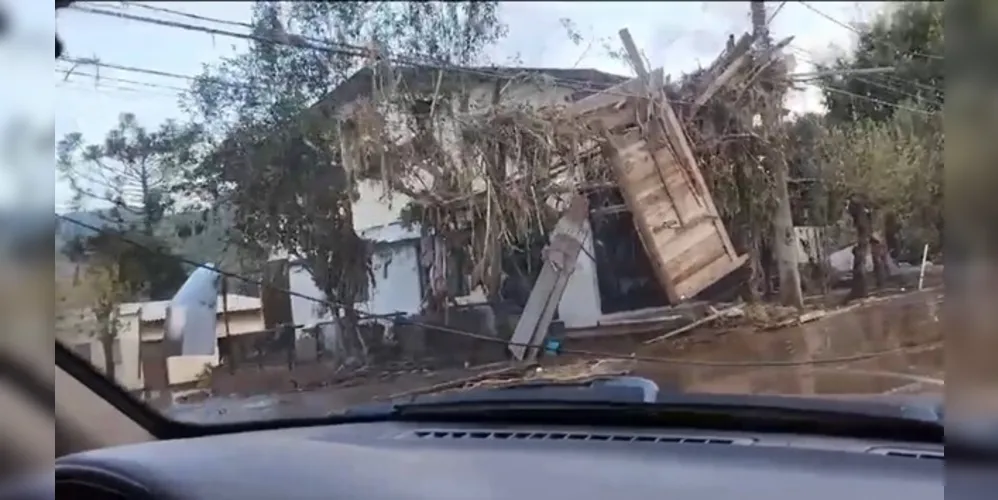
677,36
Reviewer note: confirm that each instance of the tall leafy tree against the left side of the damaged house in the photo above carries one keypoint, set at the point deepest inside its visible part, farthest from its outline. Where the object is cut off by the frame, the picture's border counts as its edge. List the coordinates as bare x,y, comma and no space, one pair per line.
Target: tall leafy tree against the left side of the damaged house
282,174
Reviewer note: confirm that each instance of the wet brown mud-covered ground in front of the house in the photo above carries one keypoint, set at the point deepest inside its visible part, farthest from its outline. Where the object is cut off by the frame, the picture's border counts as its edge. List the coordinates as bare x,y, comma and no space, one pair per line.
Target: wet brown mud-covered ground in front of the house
885,346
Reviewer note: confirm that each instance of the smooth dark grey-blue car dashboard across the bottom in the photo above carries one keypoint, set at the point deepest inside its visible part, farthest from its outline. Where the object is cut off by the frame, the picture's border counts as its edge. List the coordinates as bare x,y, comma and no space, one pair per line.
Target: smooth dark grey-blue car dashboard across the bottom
404,460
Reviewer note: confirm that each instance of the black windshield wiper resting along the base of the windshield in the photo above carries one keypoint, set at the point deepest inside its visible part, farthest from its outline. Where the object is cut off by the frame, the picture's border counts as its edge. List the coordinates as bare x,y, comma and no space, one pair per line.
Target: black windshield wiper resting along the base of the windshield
633,401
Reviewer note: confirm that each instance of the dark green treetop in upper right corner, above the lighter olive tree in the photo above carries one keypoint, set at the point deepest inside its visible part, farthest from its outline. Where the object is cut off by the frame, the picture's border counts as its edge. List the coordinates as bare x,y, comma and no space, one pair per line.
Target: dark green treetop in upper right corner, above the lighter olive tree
909,38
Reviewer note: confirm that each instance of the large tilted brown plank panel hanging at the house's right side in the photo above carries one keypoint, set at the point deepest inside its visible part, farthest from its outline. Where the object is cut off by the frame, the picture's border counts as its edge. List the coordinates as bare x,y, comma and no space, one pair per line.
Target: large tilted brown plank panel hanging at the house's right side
674,213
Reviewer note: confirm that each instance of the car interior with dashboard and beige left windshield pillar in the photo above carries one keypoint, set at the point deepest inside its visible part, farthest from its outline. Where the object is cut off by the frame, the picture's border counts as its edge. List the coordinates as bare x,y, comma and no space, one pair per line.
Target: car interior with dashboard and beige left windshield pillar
108,446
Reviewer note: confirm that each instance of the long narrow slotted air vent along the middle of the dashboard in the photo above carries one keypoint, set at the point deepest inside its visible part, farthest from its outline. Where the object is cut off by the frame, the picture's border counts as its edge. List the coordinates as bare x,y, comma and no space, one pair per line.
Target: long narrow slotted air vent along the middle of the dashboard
576,436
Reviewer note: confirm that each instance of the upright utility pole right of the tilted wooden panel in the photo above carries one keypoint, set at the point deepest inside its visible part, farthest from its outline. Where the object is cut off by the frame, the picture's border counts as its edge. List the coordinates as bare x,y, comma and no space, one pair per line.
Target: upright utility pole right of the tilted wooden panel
784,241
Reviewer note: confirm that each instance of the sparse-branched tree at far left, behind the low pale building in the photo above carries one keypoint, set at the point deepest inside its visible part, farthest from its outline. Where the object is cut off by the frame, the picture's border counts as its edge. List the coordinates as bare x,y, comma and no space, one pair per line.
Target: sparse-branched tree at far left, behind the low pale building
135,171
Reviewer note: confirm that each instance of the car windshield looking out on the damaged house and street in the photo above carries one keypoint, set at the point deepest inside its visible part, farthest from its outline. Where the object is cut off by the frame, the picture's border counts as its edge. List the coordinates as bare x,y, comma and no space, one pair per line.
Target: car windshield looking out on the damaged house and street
286,209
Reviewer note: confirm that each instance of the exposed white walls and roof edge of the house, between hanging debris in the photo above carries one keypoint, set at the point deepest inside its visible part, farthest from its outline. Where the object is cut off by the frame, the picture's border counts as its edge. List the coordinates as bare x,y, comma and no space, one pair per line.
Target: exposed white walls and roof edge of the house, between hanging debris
401,275
